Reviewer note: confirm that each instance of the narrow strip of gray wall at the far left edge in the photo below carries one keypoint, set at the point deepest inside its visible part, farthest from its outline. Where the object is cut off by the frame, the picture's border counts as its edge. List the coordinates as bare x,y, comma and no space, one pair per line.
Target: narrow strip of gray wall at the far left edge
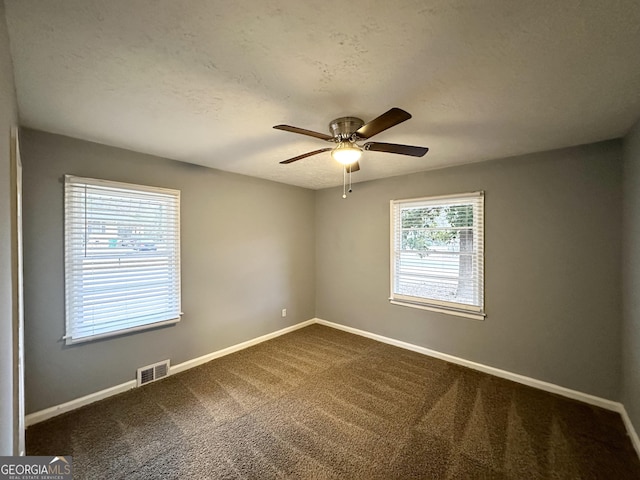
8,118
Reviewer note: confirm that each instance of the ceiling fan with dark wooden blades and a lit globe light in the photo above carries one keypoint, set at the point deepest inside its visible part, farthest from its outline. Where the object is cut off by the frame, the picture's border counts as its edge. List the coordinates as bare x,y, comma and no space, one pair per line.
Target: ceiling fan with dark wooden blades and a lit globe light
346,132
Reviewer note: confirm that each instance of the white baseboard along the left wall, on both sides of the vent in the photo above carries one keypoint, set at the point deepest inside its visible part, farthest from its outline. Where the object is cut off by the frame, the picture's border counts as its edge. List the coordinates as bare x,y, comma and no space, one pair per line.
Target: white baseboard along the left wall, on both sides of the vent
56,410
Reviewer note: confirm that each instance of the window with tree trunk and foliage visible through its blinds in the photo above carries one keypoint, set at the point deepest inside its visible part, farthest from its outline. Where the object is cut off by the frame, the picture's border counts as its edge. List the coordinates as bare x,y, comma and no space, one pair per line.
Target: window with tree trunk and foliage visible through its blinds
437,253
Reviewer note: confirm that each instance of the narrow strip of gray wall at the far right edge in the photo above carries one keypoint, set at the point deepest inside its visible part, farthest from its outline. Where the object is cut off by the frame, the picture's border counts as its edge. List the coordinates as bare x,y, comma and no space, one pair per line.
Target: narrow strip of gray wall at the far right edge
631,278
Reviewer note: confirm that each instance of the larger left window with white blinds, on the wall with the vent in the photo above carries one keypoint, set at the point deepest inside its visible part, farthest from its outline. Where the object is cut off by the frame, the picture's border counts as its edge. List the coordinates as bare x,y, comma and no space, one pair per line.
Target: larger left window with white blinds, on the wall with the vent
122,258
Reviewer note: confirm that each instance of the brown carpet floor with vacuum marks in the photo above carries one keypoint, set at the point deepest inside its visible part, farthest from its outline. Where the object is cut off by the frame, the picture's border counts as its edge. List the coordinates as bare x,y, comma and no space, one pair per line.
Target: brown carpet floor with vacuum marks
320,403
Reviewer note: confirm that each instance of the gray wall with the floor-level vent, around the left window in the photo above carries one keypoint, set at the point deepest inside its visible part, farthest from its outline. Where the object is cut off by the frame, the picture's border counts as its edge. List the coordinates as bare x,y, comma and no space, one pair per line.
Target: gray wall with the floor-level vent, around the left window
248,250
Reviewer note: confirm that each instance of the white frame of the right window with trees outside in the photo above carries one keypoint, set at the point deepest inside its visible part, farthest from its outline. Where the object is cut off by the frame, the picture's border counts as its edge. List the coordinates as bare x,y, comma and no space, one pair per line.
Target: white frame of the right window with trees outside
452,308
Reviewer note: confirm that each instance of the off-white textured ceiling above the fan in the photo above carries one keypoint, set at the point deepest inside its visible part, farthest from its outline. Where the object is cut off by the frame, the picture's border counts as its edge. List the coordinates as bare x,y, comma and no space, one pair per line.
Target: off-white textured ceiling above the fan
203,81
